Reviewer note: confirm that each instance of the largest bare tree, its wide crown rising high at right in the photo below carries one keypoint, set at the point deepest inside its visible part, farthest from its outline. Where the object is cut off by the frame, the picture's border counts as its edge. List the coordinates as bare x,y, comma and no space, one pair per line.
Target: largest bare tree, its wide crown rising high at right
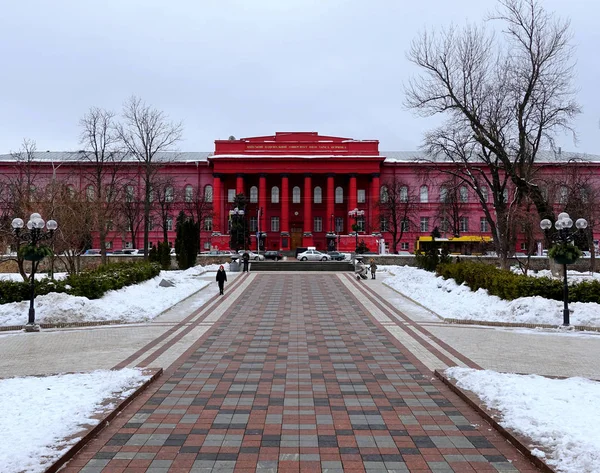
505,98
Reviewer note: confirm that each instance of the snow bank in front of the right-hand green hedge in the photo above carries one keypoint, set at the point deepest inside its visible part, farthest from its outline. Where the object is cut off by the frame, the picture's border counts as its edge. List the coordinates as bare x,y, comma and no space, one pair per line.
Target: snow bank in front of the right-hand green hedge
450,300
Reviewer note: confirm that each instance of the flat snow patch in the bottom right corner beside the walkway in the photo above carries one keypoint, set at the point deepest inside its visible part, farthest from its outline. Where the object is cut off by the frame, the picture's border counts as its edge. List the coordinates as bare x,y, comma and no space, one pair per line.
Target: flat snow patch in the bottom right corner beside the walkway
559,415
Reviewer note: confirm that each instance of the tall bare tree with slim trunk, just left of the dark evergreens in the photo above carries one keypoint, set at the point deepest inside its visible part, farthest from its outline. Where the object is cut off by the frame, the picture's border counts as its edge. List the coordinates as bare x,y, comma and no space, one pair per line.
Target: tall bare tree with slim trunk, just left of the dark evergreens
145,133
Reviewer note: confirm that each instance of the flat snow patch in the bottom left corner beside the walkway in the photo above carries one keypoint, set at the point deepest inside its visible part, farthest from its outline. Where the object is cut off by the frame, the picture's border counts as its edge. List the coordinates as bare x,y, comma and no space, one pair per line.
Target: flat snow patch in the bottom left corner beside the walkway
39,414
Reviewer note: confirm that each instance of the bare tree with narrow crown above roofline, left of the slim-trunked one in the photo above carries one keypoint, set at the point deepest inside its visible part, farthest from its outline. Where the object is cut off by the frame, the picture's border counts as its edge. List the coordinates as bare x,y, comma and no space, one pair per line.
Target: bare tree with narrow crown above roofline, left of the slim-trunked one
100,164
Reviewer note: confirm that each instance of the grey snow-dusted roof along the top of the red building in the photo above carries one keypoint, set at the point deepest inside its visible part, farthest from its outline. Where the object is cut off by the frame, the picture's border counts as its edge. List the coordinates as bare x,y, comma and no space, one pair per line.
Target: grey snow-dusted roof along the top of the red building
202,156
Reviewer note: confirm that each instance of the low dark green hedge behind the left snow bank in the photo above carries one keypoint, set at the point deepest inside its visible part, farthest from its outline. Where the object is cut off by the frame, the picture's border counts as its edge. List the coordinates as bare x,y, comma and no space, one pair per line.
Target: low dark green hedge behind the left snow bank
92,284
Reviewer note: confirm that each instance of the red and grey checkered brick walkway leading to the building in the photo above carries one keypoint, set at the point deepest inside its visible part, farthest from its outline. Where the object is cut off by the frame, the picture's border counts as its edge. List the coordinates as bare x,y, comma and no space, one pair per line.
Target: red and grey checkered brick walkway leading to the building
297,375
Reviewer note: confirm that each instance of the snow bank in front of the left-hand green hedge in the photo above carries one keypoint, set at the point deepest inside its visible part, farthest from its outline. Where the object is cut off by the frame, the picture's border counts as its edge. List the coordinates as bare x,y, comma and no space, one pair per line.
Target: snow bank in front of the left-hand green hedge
137,303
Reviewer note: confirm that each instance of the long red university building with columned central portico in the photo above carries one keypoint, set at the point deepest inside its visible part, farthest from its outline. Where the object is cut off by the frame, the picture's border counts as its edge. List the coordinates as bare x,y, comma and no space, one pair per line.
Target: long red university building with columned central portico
303,189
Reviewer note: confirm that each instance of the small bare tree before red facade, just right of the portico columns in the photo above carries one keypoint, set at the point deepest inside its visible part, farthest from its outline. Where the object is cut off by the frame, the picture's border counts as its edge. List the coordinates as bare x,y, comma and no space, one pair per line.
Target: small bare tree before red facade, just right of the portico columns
398,206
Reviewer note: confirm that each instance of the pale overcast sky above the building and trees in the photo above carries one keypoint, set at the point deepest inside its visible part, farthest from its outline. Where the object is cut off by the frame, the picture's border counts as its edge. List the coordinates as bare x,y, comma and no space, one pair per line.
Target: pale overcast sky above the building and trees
241,67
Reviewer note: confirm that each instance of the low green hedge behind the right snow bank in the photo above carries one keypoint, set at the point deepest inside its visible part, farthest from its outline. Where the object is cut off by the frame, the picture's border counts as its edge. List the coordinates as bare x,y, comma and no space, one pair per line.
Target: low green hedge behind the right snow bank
509,286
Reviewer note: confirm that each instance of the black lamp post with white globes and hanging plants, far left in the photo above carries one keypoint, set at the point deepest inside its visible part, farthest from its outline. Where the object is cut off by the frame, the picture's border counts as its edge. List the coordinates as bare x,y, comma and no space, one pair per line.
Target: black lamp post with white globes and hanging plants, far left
33,252
